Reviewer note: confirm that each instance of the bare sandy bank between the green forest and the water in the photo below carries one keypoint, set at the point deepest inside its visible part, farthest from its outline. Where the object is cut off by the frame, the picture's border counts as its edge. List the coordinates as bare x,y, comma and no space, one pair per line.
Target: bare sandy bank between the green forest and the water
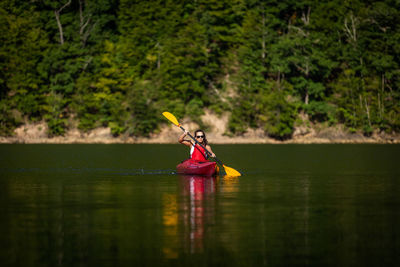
37,134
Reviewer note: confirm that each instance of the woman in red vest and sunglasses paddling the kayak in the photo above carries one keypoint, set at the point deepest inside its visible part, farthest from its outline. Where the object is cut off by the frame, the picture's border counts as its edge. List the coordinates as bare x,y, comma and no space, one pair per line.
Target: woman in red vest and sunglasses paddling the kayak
196,151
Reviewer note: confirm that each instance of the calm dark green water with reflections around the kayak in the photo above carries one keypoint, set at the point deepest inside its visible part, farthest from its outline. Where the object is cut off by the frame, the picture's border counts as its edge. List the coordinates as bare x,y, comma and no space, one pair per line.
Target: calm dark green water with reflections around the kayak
123,205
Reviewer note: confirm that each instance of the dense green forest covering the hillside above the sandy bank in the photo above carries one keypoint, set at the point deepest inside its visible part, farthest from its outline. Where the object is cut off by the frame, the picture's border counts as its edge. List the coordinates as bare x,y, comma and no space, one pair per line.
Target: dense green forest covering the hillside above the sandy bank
120,63
